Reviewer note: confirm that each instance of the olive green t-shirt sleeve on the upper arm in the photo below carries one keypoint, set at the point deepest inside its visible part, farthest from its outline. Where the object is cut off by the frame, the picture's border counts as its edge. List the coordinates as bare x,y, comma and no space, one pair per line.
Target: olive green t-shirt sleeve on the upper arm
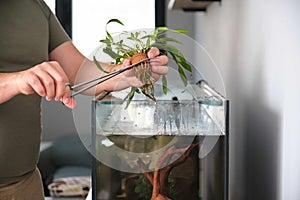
57,34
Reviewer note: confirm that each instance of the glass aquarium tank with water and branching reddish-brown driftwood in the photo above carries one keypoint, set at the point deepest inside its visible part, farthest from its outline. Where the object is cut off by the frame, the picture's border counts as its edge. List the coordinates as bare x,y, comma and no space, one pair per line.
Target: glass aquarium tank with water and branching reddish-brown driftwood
174,148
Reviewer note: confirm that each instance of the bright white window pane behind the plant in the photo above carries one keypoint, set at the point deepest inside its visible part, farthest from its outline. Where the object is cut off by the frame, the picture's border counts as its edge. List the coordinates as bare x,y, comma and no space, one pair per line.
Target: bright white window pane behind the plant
90,16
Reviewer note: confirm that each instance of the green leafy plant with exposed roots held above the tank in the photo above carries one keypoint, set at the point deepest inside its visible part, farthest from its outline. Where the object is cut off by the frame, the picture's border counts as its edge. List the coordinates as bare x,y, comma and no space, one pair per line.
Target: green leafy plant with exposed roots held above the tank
135,46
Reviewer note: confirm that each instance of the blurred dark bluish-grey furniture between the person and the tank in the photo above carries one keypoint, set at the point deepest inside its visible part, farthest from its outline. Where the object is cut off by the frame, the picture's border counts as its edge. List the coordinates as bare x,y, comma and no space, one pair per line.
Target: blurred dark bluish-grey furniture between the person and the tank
63,158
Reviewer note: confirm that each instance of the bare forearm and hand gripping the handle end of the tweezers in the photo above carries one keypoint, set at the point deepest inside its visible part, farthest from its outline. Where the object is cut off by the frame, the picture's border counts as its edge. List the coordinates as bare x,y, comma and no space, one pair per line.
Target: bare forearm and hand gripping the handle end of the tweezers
47,79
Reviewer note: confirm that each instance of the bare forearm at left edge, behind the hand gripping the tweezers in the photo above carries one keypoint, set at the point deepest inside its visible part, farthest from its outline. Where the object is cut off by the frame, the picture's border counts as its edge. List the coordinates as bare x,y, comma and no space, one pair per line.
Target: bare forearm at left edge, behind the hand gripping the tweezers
8,86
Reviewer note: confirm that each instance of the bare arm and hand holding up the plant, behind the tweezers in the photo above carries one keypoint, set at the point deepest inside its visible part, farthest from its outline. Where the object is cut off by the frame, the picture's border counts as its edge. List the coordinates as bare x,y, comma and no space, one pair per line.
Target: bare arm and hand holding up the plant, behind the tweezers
74,63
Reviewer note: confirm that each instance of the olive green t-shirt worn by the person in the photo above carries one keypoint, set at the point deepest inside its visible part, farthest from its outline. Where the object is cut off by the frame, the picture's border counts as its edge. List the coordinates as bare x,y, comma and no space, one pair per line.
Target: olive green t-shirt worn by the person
28,32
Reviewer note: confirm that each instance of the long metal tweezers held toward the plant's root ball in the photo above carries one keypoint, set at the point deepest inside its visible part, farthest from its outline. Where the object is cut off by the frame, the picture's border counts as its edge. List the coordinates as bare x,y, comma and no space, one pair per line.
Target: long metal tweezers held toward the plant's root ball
102,79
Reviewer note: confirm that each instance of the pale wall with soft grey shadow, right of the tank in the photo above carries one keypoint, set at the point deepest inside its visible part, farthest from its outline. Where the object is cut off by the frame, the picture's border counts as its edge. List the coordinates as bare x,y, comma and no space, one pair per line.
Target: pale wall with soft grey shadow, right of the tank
256,45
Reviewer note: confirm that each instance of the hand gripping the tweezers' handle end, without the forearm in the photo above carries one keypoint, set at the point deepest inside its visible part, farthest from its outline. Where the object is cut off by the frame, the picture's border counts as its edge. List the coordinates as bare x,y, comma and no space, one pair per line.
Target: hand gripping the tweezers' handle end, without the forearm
48,80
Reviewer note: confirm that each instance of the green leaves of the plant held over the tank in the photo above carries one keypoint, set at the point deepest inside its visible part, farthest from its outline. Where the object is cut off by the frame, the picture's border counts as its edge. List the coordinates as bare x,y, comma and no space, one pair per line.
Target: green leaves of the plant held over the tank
142,42
